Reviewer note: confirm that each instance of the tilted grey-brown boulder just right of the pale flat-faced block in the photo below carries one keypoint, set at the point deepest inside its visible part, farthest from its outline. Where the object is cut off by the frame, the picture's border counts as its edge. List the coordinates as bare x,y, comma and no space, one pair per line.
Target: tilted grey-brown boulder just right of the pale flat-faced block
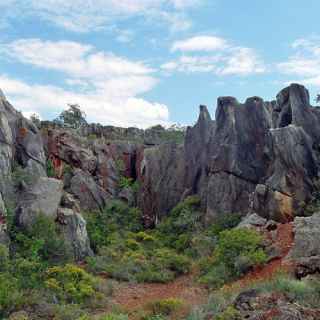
90,195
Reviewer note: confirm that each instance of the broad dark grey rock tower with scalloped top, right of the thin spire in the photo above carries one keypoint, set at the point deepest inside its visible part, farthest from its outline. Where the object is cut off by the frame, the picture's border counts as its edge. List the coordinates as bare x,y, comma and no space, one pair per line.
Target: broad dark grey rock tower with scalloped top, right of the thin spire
241,154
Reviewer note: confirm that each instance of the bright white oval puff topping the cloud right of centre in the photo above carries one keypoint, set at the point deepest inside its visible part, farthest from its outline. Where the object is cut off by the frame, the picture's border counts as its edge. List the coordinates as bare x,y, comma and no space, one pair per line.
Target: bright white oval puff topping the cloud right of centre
200,43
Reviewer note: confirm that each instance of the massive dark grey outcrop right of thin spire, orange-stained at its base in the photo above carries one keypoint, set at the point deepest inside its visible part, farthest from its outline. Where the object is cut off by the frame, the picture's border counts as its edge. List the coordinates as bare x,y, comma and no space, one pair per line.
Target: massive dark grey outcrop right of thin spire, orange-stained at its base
263,155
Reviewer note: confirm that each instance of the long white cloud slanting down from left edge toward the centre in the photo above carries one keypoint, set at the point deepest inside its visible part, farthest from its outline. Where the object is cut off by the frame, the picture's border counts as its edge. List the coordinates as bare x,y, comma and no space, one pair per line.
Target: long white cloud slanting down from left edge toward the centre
73,58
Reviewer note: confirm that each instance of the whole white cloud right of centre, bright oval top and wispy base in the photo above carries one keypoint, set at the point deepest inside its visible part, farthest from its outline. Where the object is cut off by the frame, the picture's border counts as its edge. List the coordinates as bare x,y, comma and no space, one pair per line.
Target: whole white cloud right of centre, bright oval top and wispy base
215,55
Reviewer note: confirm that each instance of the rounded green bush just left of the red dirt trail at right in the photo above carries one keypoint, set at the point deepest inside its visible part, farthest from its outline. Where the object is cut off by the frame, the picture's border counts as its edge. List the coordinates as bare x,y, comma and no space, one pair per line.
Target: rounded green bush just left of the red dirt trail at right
236,252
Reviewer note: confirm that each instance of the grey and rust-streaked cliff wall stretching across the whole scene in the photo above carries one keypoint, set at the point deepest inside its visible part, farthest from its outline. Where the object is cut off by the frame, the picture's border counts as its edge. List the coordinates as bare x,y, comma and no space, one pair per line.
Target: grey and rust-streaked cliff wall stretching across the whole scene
258,156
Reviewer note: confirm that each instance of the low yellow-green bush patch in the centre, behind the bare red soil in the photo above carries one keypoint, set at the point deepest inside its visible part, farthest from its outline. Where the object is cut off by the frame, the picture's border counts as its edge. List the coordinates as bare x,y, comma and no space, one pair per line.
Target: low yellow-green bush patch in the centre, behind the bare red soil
137,257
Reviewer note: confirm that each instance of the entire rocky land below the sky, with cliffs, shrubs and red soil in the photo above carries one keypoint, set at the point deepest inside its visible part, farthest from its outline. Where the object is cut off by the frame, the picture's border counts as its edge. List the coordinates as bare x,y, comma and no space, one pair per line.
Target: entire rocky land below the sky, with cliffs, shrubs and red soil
215,221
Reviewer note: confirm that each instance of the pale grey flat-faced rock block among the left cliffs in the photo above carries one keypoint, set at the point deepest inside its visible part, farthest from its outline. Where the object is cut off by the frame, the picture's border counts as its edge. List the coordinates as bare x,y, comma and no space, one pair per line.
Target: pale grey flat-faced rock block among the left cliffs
43,197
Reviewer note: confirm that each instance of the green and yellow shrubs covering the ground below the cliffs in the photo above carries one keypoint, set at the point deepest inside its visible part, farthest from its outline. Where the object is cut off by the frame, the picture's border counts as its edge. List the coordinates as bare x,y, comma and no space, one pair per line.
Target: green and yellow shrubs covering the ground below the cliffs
38,275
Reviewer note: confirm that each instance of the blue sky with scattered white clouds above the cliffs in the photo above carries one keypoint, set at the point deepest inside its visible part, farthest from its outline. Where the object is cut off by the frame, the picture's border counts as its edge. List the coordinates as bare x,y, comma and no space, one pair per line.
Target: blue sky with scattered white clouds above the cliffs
146,62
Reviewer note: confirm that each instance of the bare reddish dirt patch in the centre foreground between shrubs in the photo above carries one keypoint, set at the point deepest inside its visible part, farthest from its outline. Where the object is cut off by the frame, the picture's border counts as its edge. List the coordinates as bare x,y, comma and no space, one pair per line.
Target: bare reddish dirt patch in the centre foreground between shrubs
135,296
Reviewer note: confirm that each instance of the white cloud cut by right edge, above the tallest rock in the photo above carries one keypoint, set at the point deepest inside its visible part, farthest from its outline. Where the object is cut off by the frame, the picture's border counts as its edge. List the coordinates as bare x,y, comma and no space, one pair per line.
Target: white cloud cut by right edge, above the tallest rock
305,62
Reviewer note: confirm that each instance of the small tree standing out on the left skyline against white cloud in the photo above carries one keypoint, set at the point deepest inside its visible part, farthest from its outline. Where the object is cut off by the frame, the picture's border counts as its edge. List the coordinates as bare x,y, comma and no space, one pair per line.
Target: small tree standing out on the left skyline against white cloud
73,117
